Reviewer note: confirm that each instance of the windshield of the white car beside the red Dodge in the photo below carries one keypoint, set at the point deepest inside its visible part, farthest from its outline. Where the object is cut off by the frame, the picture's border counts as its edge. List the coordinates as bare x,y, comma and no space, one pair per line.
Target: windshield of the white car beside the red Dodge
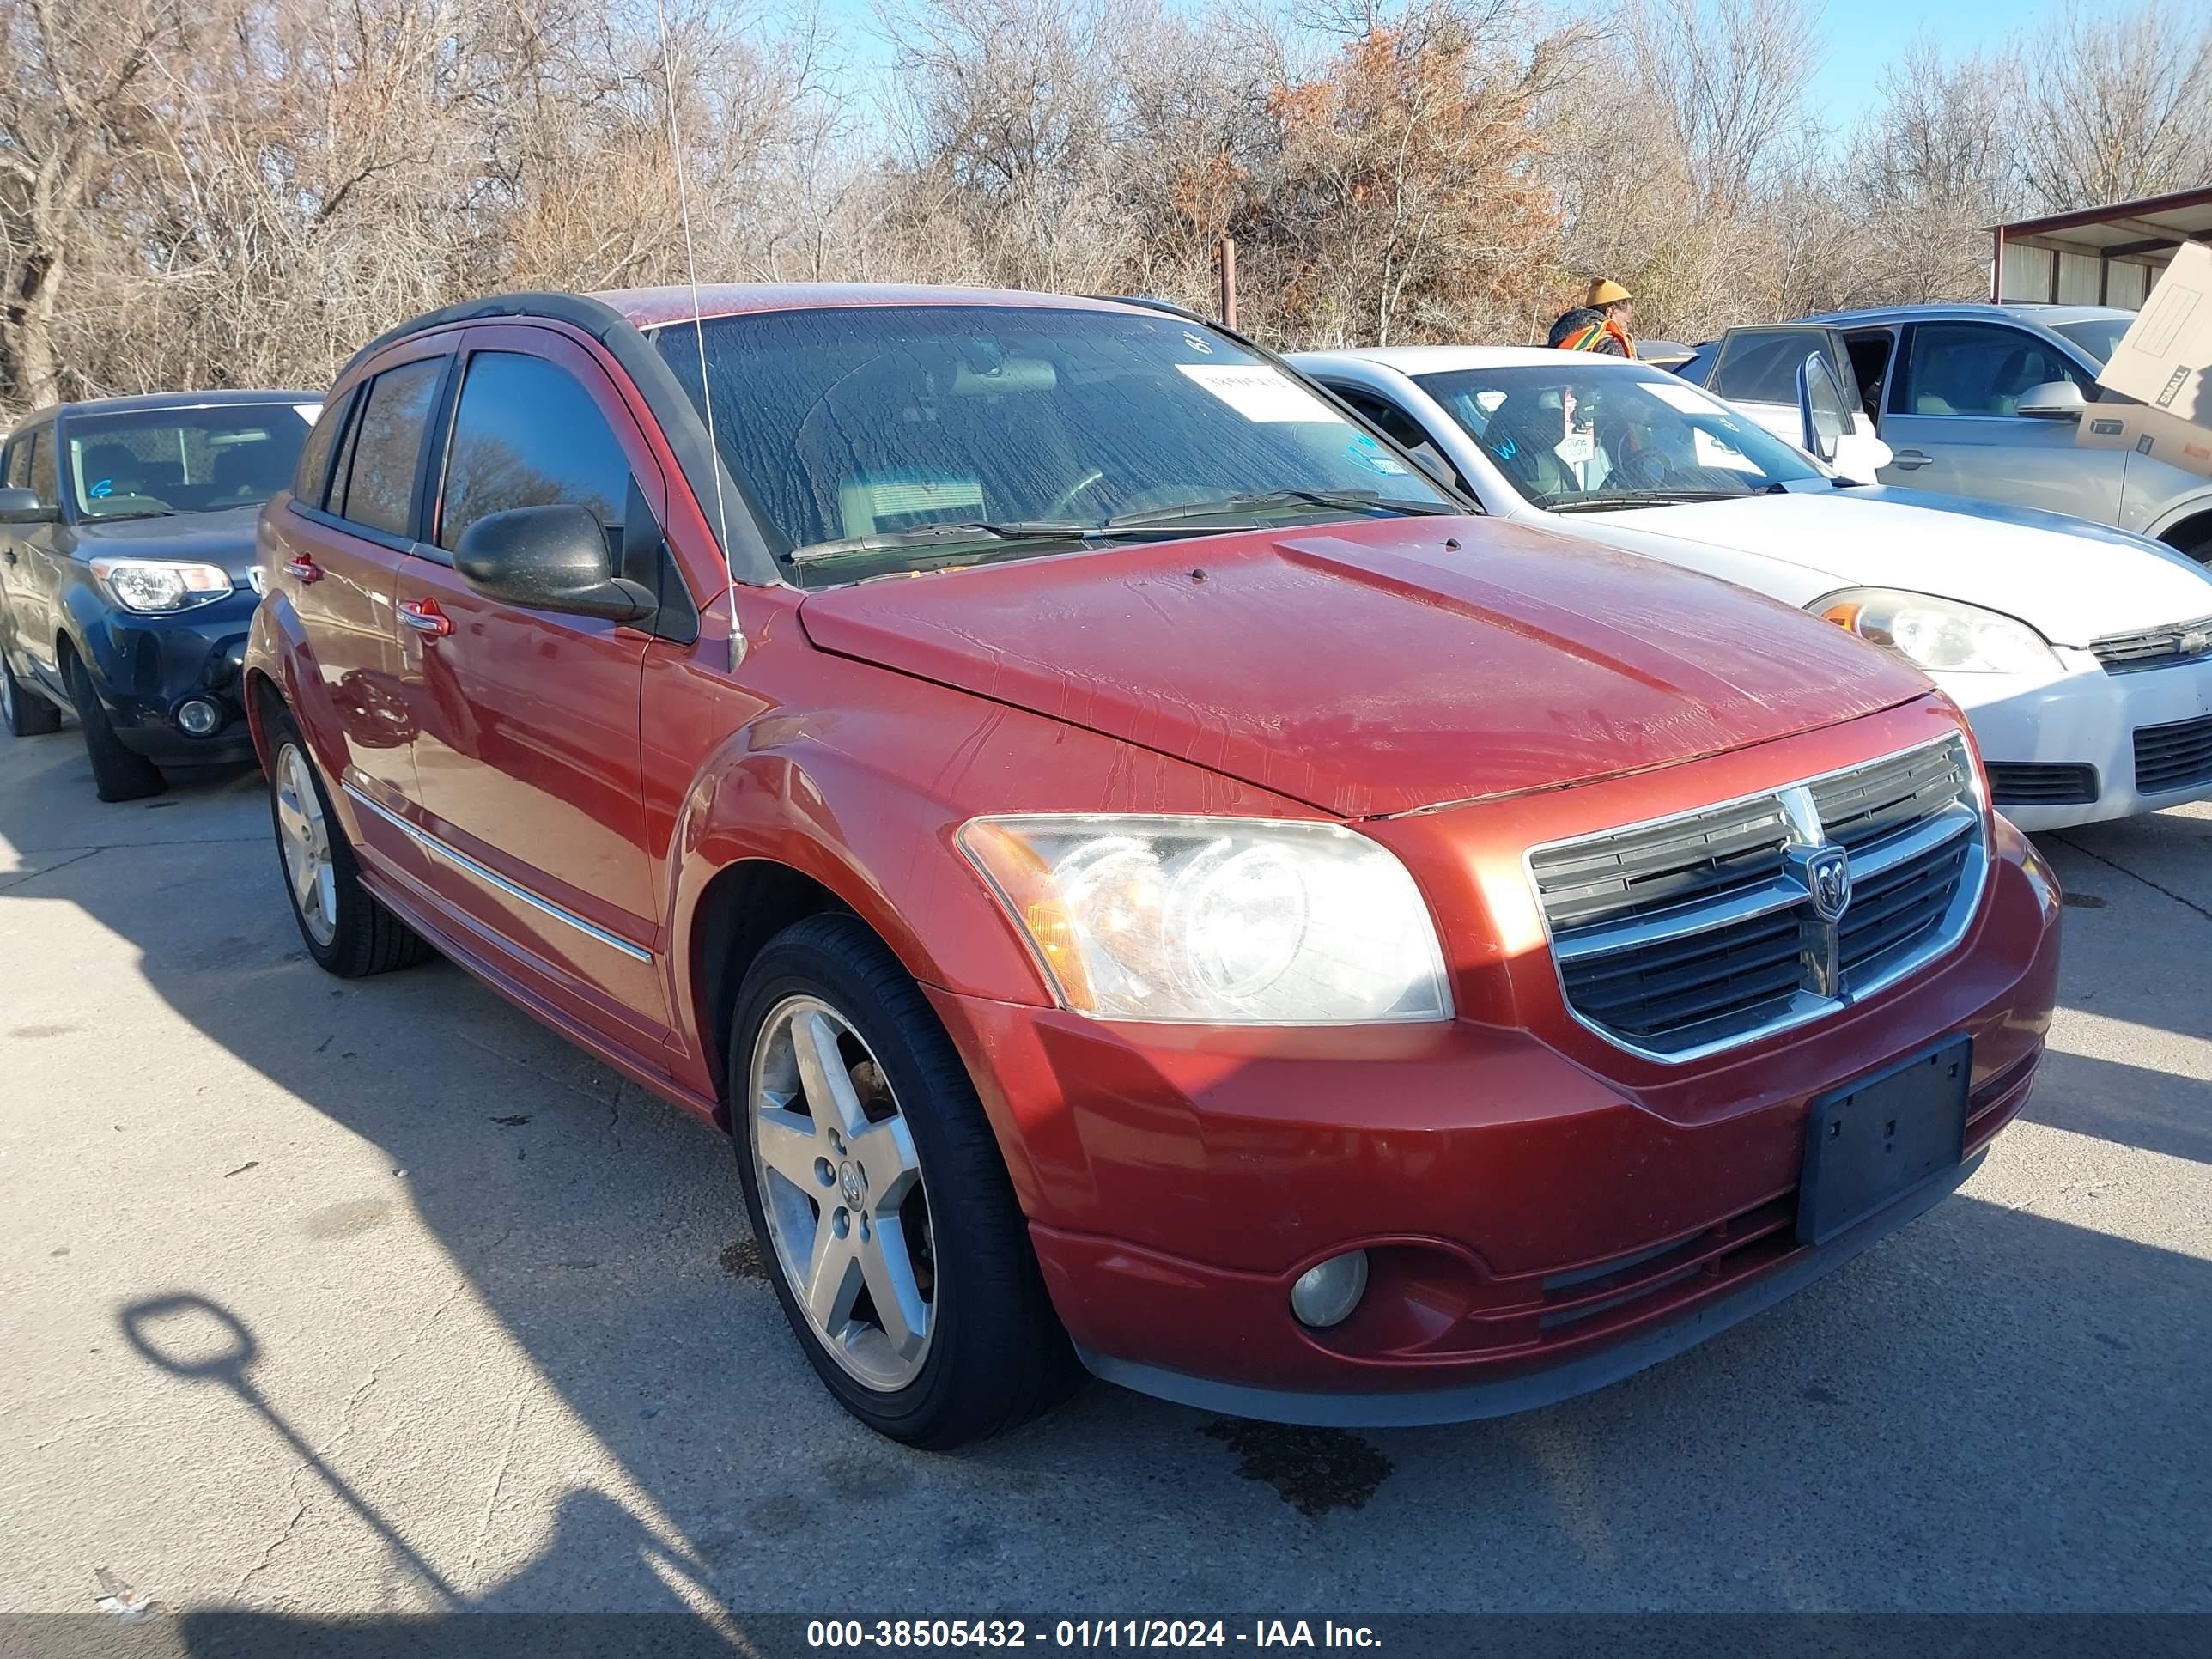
1583,437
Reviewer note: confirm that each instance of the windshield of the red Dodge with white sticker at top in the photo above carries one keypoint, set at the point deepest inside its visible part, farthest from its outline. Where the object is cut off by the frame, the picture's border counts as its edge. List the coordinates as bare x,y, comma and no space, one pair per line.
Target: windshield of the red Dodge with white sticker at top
904,437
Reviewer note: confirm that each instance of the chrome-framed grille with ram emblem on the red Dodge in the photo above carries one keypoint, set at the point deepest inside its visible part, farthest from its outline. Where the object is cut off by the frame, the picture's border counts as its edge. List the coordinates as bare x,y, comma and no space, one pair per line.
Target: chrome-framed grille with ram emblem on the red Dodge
1700,932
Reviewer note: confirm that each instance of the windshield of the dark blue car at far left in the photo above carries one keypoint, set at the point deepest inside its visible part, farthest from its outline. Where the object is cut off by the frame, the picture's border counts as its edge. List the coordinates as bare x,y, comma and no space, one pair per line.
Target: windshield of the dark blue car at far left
185,461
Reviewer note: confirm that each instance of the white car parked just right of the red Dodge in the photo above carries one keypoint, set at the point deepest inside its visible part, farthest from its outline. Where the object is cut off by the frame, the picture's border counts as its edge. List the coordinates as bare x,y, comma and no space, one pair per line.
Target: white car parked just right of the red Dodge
2080,654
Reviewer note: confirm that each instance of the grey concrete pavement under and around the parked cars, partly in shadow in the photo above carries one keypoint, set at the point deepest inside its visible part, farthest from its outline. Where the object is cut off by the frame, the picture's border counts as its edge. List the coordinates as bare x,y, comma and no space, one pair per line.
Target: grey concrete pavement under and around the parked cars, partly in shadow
379,1300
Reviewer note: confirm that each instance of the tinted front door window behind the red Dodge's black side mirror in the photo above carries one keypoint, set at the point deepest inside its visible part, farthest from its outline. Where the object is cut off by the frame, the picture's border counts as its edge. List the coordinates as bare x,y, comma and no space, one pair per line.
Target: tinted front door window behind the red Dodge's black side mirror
528,435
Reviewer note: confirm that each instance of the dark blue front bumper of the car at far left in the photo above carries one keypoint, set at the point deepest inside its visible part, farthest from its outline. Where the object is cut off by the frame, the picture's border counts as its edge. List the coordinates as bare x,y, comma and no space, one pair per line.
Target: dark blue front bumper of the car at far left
147,669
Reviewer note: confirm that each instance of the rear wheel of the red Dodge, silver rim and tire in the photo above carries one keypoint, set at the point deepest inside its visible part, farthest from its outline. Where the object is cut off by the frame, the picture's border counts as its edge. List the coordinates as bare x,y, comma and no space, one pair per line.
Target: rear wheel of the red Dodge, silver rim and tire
346,928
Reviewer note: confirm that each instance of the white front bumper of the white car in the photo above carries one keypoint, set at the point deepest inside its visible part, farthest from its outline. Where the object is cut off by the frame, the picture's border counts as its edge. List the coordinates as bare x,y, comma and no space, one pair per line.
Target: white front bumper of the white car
2083,718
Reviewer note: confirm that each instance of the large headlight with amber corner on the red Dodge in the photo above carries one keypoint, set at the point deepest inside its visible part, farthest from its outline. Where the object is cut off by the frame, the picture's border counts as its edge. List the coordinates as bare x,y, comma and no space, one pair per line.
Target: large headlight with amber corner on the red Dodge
1218,921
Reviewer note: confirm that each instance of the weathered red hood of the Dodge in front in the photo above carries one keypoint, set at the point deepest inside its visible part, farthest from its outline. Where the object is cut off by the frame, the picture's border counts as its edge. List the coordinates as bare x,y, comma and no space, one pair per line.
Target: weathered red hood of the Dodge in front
1373,669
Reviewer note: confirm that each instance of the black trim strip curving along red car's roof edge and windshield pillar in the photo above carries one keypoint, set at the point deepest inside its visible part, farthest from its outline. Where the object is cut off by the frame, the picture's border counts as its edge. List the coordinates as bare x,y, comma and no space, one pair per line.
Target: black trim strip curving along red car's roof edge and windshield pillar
678,417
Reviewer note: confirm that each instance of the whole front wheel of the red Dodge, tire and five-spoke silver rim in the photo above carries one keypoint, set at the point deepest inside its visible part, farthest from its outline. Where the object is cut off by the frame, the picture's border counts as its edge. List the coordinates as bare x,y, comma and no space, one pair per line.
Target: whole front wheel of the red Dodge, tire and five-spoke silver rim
879,1198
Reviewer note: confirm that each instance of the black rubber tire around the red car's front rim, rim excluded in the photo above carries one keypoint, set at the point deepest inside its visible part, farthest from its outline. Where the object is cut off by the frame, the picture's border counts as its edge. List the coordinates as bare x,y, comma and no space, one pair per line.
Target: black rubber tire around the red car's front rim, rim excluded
972,1207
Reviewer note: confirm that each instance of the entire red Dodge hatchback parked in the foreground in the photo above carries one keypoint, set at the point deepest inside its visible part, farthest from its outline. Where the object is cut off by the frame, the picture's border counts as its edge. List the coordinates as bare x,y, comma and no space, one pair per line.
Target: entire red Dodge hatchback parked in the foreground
1145,875
